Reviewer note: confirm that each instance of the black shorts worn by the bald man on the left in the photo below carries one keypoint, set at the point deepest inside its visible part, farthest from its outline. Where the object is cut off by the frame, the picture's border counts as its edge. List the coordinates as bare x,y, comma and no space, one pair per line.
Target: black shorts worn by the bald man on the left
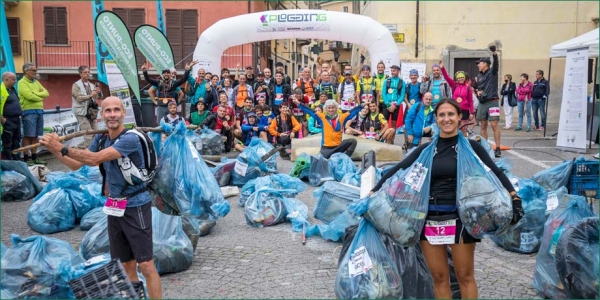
130,236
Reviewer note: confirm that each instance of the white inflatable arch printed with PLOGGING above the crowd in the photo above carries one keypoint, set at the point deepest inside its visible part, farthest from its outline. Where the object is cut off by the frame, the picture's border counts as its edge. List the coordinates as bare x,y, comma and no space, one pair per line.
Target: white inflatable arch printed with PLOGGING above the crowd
301,23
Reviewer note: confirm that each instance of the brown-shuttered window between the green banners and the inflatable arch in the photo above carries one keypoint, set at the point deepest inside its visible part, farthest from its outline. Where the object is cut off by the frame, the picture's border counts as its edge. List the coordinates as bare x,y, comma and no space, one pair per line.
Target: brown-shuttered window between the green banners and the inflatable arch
182,31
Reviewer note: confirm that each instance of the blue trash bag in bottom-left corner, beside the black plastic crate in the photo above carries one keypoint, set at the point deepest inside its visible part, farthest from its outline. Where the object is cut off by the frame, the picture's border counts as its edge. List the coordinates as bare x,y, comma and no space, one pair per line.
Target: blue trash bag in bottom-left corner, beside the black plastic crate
38,267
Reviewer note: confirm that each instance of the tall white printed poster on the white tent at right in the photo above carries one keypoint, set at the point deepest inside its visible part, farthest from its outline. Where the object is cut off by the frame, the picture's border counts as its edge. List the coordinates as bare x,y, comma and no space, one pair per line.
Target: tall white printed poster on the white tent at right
573,108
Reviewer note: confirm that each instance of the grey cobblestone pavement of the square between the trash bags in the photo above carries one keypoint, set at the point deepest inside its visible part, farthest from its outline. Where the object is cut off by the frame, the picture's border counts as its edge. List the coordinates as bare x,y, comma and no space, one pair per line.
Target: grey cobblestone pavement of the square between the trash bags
240,261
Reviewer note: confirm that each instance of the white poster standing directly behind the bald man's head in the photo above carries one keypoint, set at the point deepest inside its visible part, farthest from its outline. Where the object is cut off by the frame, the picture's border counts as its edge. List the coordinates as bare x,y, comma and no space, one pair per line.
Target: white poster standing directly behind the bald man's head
118,87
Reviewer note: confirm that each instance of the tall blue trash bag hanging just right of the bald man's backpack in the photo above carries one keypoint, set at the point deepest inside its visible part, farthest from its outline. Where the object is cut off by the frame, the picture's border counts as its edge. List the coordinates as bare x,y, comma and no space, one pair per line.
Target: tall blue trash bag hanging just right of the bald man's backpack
184,183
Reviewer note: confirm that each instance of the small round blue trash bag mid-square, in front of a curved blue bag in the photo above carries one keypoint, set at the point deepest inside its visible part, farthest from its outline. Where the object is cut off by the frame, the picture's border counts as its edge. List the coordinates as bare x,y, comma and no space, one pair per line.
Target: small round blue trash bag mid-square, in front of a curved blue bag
265,208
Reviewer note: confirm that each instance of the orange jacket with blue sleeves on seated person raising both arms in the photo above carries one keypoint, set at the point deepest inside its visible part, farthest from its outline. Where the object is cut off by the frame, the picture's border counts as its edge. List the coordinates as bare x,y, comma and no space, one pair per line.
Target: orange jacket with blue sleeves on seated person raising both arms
331,137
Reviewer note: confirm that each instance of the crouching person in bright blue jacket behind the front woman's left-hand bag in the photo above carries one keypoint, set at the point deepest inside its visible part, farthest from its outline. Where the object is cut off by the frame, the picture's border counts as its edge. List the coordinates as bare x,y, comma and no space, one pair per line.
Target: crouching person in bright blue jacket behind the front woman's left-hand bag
419,120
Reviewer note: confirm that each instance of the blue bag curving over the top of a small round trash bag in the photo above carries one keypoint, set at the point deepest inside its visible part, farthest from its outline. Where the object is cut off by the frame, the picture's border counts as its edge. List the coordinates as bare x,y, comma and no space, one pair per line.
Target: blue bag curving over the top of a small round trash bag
293,185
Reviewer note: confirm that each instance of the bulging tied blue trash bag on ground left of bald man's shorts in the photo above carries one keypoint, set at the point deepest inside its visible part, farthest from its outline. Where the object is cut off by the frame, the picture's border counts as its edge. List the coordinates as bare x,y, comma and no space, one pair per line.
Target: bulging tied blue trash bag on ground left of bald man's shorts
65,200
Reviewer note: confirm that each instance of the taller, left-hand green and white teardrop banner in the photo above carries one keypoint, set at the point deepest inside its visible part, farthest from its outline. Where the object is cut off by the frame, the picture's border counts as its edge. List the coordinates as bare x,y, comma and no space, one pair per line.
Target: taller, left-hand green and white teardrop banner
112,31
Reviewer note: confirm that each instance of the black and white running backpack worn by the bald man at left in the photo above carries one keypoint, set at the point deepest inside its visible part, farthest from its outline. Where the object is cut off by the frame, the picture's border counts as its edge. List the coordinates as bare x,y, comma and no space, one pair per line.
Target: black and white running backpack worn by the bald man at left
130,172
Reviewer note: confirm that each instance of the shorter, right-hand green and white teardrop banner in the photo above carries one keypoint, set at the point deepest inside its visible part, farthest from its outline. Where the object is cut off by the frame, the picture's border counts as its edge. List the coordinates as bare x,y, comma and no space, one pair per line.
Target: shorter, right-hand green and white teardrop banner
153,44
